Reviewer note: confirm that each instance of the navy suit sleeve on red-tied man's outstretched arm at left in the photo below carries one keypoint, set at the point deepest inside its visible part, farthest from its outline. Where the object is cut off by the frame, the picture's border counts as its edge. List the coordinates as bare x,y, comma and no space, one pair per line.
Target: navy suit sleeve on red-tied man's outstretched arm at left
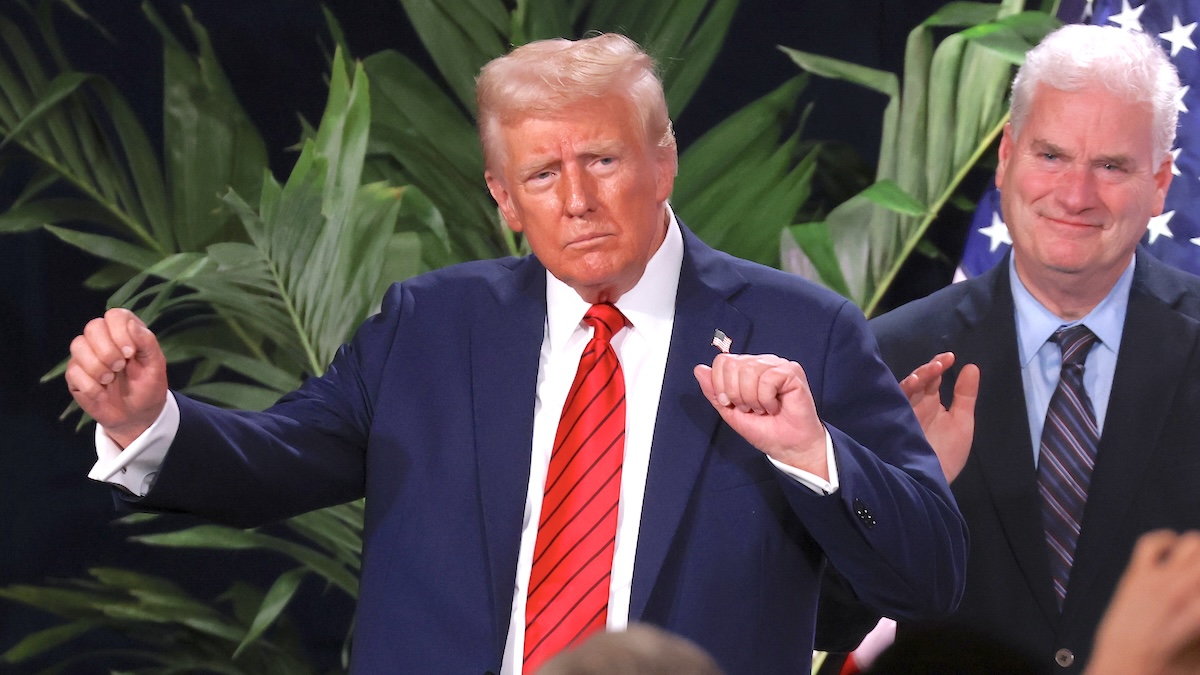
307,452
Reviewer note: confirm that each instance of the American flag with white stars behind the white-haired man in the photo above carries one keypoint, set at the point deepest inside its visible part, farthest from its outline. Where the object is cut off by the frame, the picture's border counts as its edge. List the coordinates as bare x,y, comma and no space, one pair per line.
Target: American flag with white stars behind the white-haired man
1175,236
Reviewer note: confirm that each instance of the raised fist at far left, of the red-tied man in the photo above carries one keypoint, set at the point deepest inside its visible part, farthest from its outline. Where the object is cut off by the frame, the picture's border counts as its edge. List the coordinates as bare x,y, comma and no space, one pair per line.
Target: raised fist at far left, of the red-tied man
118,375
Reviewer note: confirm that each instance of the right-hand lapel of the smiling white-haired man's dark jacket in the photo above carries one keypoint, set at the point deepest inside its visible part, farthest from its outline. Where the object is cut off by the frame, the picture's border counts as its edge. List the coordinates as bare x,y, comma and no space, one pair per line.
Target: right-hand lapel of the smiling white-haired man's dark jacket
1144,386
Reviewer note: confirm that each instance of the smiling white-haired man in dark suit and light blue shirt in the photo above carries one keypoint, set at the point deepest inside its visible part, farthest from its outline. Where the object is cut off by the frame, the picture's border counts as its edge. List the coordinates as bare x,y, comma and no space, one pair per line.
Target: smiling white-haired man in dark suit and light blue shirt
1084,165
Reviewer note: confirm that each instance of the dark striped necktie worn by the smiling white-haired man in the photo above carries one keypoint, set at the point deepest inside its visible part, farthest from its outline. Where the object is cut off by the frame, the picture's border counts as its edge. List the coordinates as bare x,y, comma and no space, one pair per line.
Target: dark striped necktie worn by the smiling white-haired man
1067,455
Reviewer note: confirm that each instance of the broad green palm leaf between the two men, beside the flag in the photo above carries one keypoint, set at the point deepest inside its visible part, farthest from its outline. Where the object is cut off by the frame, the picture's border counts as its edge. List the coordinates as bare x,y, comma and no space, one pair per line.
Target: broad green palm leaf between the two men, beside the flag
935,130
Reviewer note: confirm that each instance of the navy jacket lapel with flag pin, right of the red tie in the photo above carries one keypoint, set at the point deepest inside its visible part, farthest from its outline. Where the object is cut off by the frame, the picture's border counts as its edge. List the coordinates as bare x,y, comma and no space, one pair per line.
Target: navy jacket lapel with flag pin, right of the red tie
686,422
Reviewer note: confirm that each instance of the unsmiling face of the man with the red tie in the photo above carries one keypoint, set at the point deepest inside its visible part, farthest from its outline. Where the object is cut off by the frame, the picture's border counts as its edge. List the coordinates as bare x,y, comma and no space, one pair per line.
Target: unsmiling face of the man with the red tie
589,190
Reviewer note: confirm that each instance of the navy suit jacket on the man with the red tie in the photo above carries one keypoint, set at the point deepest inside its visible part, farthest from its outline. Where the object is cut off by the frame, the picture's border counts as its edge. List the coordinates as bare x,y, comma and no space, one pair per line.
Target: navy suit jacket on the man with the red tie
429,414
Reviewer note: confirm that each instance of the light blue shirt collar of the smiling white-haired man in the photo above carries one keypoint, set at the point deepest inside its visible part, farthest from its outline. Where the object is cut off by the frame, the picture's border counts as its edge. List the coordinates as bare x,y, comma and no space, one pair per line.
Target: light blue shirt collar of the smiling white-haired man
1036,324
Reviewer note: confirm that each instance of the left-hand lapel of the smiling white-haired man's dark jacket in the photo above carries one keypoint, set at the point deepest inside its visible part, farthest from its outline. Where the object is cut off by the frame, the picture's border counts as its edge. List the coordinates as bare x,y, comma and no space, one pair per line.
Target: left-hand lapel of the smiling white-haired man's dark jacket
1003,451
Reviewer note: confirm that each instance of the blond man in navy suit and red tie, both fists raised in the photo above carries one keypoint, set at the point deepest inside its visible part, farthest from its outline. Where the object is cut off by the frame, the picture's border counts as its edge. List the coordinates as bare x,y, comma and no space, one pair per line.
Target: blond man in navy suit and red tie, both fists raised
740,480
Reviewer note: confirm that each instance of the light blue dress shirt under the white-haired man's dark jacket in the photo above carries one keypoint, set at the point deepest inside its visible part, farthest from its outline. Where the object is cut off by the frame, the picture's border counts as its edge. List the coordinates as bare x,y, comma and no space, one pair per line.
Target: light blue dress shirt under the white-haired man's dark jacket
1042,360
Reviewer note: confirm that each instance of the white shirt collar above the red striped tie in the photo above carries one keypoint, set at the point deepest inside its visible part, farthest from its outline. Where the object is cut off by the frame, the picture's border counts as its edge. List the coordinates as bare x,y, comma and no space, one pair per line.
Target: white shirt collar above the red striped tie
649,306
